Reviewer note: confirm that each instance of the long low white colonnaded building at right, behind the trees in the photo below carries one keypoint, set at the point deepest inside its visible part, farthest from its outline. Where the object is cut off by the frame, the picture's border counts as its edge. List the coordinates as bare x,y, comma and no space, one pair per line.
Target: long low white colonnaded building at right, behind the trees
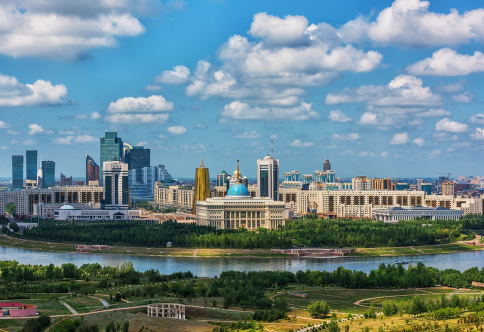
395,214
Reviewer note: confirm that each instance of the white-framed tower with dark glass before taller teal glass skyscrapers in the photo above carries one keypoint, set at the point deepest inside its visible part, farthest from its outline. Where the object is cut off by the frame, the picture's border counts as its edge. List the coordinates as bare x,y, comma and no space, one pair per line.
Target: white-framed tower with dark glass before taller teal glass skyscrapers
115,184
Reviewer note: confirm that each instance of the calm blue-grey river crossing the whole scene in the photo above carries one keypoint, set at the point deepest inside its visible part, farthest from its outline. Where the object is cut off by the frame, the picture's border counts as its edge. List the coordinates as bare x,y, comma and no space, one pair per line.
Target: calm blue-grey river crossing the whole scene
213,266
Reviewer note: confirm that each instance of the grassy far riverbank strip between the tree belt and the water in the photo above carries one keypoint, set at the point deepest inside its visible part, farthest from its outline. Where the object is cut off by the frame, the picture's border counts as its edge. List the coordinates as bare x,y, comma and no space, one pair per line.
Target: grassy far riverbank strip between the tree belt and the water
13,242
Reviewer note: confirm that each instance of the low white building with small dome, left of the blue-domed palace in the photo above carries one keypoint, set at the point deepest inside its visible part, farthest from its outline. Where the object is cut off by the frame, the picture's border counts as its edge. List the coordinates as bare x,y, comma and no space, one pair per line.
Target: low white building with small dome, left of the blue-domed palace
68,212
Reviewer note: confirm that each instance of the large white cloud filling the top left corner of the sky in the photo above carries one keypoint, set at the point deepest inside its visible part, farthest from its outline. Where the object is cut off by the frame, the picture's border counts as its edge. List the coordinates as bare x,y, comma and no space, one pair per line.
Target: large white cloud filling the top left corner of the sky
64,30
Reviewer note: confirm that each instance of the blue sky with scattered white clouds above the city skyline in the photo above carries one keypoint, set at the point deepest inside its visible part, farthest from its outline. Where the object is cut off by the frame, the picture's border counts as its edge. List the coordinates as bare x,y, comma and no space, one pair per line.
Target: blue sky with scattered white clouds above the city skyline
383,88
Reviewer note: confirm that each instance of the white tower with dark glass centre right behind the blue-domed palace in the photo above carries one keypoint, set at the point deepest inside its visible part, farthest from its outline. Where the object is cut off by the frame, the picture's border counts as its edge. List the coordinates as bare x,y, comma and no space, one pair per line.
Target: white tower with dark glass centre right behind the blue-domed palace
268,177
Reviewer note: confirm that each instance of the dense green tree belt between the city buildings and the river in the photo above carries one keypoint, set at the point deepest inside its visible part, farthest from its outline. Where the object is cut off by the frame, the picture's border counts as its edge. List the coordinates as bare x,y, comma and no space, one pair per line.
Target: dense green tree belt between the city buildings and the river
305,231
